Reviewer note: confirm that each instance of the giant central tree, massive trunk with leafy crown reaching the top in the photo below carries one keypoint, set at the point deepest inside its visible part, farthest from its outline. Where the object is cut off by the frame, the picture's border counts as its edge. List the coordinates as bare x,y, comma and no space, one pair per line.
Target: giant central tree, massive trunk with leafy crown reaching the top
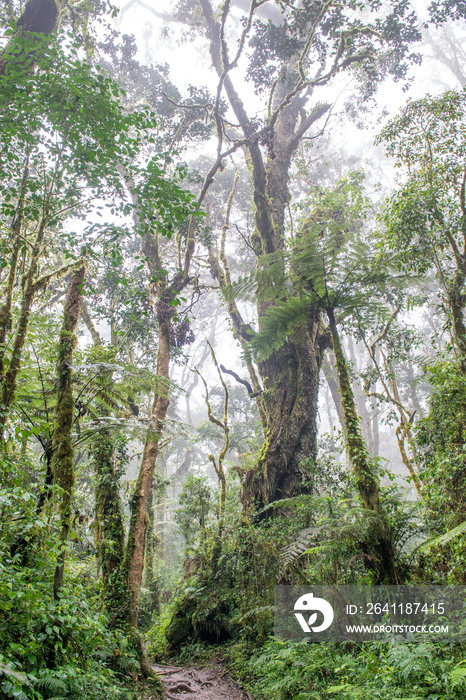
288,63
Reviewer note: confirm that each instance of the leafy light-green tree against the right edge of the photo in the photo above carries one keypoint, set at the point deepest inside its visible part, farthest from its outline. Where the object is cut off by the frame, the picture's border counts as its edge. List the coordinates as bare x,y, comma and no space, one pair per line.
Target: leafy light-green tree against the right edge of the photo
425,218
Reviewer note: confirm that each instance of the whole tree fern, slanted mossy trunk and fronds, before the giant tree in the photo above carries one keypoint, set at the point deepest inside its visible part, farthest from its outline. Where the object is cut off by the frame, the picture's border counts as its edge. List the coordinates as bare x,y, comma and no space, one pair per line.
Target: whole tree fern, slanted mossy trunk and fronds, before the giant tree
331,268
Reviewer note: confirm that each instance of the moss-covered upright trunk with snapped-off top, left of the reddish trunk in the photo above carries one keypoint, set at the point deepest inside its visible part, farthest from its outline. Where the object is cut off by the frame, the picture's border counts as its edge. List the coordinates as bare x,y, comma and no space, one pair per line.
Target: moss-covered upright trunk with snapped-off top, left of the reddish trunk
62,465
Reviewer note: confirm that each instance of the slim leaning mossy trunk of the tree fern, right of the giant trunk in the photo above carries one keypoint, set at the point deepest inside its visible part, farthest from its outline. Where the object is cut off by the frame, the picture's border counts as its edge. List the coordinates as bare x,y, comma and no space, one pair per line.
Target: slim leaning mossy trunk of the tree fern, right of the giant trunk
365,477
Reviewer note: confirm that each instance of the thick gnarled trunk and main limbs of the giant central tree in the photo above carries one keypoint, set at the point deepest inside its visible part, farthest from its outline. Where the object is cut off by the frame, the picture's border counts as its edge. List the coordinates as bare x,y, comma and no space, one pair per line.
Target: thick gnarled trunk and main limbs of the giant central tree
290,377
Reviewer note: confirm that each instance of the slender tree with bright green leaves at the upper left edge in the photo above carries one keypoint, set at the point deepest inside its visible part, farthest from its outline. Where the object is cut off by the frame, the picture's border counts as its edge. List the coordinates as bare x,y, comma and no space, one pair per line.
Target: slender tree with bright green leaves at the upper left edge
56,160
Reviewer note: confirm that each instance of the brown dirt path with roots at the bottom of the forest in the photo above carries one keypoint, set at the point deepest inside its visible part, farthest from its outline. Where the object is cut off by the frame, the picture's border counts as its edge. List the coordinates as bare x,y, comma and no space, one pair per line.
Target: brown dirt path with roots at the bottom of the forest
199,683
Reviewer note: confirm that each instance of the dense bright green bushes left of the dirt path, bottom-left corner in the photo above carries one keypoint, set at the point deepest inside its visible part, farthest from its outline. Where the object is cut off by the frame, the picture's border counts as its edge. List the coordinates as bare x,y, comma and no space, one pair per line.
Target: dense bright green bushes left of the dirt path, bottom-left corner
62,647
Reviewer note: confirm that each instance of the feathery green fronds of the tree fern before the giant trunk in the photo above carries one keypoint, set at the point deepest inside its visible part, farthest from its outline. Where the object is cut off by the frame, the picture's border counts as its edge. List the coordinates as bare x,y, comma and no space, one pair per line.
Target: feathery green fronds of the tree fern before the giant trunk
329,265
